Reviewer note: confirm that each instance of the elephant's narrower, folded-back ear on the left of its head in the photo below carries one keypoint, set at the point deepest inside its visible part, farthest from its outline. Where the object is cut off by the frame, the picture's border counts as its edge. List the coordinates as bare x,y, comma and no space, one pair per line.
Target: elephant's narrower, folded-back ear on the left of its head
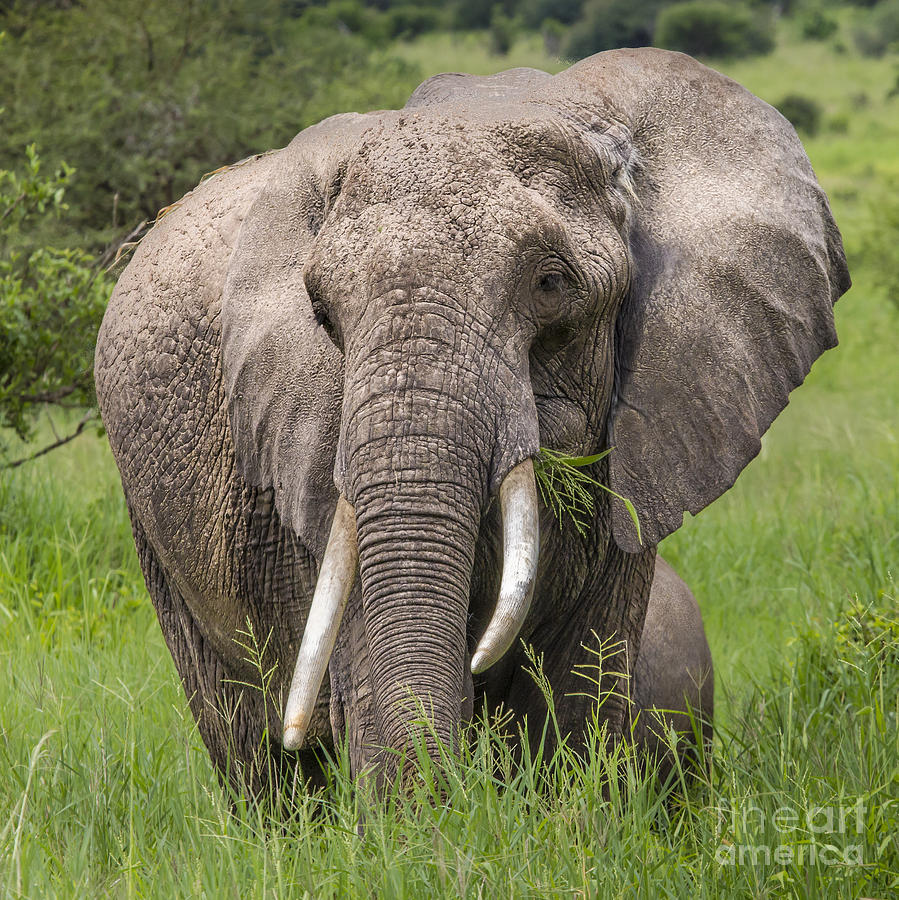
283,378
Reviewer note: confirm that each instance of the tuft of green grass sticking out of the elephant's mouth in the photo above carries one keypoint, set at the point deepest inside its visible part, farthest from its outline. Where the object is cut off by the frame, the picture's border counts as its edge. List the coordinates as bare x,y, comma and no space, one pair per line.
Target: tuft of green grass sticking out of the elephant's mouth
568,490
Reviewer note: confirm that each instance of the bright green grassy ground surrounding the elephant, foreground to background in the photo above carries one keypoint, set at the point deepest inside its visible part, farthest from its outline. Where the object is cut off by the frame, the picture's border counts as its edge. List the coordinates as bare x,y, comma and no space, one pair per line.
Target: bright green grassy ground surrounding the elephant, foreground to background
107,790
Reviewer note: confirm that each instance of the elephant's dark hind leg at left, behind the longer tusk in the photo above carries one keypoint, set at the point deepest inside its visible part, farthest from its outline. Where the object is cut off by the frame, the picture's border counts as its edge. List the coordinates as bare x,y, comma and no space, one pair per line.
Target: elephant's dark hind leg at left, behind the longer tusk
238,730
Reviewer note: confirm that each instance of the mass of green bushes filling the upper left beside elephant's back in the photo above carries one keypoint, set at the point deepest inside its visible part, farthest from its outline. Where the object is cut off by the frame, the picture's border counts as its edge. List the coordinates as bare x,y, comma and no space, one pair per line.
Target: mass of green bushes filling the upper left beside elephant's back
141,99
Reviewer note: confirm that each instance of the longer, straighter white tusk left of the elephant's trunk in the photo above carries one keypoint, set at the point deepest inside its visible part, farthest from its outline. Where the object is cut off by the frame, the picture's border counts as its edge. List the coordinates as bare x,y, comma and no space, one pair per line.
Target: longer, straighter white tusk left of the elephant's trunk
332,590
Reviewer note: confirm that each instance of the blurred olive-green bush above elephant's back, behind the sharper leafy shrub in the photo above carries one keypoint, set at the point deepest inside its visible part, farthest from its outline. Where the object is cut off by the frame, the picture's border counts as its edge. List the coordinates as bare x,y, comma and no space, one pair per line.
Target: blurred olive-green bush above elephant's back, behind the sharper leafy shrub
144,98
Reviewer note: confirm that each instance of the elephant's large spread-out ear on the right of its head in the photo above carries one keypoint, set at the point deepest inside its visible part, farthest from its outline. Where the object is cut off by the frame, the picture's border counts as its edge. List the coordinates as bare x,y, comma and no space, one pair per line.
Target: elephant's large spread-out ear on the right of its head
737,263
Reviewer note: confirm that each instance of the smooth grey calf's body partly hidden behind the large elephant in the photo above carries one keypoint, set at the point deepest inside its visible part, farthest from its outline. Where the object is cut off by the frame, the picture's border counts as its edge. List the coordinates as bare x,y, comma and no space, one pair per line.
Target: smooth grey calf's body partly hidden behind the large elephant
674,682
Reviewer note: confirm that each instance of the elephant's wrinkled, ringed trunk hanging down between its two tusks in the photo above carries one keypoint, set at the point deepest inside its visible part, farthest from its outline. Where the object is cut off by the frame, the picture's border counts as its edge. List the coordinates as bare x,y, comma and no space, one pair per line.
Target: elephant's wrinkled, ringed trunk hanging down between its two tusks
417,445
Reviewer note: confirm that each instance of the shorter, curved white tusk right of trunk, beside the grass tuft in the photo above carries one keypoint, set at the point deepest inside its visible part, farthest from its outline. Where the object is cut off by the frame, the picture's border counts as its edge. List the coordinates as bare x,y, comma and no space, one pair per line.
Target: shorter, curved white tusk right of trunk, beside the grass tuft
521,547
